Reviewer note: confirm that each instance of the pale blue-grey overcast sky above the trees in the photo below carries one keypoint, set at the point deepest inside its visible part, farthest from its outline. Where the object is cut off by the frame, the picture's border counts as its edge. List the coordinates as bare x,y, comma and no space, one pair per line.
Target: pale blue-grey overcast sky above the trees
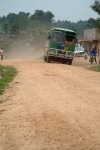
70,10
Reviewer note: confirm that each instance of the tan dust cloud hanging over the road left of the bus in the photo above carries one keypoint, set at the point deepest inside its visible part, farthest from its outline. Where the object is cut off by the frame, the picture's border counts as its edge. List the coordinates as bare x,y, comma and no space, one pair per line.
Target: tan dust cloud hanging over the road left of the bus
25,50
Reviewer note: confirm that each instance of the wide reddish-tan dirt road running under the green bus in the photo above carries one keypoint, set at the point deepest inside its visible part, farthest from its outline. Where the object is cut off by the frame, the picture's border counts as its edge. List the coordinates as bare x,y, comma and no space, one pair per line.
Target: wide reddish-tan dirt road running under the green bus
51,107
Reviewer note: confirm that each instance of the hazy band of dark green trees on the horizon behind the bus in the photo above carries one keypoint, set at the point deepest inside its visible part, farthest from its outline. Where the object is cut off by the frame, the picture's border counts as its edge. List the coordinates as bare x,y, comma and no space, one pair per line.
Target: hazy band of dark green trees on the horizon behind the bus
12,23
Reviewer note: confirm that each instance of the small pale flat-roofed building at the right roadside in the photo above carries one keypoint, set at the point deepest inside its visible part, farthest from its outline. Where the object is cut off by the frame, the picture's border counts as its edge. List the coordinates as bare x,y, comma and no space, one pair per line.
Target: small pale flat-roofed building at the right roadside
90,39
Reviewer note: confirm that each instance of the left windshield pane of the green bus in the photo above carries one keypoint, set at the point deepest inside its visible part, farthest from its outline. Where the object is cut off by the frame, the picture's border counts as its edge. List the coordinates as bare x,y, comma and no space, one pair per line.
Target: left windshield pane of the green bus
58,38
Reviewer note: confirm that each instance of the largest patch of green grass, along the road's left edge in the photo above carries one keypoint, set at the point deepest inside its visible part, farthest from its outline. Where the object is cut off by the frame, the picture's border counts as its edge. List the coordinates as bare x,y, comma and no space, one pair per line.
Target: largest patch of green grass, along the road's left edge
9,72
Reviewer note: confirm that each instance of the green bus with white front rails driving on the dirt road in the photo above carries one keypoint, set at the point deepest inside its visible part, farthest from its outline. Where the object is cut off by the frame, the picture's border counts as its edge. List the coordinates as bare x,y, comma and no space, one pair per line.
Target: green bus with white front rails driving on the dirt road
60,46
